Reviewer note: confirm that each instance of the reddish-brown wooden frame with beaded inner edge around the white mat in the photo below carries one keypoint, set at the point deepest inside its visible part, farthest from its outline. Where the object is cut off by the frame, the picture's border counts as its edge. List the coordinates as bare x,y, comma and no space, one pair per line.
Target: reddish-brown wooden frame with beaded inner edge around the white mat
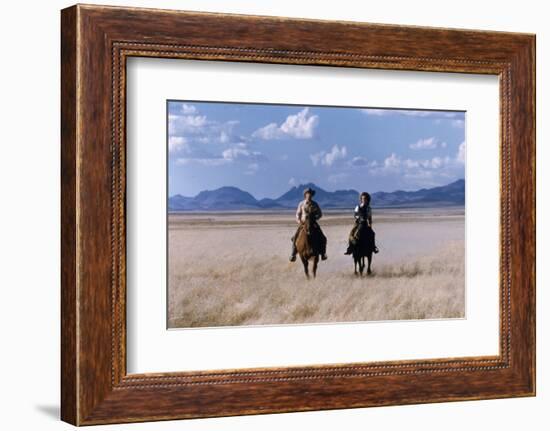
95,43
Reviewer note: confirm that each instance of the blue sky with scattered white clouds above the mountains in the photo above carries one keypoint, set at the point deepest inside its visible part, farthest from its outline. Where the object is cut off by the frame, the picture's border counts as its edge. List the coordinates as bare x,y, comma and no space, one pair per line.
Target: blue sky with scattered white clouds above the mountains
266,149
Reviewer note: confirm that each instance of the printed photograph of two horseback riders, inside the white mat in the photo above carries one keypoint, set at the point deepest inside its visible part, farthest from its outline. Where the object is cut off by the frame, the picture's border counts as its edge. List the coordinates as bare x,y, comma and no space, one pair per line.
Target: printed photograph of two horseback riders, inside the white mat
302,214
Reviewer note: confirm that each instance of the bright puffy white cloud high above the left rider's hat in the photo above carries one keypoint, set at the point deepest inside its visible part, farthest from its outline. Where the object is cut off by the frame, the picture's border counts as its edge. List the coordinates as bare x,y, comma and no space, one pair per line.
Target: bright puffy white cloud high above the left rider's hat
299,126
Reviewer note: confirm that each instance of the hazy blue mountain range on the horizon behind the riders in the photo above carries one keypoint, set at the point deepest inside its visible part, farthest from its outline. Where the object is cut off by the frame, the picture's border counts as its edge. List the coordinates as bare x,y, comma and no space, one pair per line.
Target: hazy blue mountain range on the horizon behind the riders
233,199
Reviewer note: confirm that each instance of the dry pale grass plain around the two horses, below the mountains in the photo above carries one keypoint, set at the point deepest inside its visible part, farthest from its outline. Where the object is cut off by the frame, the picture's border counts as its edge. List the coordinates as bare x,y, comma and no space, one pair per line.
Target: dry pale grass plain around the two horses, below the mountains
229,269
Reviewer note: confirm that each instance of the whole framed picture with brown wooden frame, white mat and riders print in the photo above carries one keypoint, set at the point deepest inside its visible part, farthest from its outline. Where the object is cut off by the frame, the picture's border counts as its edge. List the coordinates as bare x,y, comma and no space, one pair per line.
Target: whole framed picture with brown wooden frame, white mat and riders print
262,214
